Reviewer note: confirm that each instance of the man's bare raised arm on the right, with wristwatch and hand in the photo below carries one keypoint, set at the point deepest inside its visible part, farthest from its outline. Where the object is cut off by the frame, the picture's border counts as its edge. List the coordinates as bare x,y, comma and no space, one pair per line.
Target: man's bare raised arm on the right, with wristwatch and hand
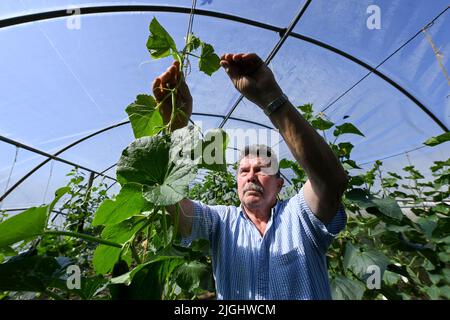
327,178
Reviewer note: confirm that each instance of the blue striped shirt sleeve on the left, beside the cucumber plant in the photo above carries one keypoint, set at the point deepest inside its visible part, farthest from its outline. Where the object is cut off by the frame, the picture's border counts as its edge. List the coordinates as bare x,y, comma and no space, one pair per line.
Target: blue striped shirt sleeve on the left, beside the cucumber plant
205,222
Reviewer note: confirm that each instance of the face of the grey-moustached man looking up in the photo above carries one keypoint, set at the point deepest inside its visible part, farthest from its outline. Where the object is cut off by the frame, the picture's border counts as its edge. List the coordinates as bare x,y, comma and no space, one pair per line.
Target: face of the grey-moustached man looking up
256,187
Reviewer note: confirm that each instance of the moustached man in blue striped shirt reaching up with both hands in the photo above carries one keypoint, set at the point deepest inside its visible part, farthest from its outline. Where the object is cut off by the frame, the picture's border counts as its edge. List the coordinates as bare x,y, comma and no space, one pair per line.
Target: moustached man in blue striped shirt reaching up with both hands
267,249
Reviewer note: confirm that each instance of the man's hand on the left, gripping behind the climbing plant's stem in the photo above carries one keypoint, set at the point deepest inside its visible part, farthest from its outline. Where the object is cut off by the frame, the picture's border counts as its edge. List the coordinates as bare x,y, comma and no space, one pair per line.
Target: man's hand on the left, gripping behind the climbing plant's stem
170,79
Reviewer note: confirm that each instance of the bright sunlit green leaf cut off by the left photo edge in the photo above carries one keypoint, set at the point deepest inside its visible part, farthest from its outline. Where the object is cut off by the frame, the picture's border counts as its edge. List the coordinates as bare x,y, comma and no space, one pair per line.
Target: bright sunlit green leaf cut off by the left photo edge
23,226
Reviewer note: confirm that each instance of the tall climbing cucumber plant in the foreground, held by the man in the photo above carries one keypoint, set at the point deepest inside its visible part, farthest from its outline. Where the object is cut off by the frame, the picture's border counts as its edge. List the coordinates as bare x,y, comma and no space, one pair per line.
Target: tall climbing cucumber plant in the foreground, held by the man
139,243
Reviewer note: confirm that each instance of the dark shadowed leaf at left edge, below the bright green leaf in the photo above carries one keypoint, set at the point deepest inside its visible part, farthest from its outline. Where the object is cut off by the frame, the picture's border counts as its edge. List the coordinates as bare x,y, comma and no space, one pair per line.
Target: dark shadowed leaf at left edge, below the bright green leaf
31,273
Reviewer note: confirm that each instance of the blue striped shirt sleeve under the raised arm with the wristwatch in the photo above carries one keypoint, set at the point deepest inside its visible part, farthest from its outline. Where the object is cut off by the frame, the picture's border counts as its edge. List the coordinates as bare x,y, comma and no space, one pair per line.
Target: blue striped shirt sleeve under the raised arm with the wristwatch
319,233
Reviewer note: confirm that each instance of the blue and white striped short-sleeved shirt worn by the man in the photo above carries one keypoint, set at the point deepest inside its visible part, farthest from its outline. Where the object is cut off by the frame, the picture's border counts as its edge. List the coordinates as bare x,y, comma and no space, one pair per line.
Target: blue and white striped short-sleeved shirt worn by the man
288,262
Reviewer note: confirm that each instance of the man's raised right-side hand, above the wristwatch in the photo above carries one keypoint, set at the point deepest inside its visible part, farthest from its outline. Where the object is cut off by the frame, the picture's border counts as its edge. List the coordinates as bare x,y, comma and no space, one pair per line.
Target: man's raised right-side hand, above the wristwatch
251,77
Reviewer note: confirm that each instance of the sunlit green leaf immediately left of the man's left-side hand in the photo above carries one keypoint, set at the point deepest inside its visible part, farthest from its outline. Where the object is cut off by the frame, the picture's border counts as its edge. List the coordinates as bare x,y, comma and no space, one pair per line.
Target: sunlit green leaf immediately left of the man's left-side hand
144,117
